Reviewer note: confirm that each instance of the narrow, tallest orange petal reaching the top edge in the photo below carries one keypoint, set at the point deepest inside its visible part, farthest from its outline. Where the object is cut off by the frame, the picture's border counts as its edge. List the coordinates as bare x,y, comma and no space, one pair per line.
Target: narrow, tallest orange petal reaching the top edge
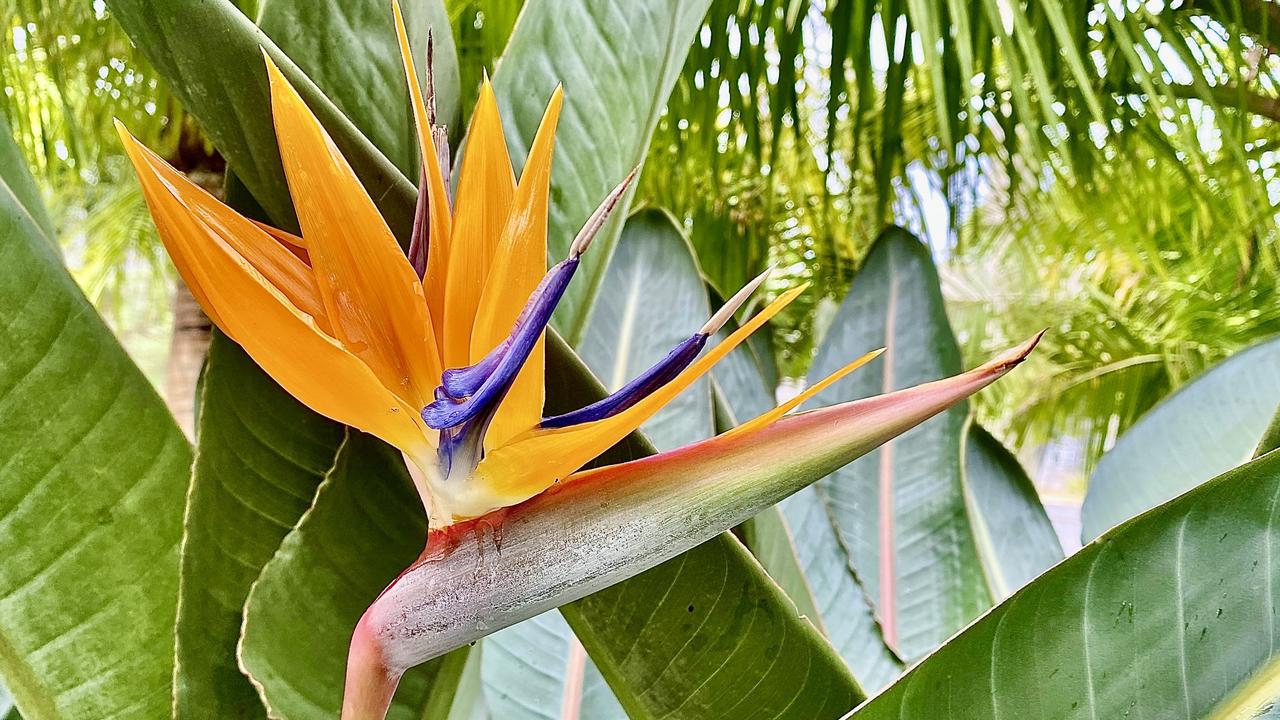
438,199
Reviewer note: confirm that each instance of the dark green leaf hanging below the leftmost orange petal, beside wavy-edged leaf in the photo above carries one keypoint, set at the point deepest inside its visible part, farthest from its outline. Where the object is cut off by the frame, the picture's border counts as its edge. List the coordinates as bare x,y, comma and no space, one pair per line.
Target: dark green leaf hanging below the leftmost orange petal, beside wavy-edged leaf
262,455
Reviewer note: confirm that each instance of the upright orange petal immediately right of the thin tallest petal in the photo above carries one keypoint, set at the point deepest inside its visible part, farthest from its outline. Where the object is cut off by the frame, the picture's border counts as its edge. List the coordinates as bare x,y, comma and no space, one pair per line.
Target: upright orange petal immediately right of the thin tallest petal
486,189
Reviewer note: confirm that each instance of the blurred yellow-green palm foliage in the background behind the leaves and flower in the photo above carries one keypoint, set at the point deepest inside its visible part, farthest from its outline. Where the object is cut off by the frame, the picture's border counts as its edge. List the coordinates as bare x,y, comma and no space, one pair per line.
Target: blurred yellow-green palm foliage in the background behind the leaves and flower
1103,168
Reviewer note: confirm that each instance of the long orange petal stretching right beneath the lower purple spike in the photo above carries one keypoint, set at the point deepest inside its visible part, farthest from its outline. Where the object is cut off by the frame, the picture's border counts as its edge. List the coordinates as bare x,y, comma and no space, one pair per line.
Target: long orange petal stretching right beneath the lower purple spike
537,459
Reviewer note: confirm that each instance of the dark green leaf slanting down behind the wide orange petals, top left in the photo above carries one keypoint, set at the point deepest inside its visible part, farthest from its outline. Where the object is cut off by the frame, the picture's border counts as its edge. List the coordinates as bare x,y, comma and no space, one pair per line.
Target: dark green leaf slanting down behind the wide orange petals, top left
211,54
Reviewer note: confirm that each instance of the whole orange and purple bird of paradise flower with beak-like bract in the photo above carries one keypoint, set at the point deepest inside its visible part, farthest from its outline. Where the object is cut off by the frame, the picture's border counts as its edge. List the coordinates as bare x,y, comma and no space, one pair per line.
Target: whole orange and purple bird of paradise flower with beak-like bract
441,353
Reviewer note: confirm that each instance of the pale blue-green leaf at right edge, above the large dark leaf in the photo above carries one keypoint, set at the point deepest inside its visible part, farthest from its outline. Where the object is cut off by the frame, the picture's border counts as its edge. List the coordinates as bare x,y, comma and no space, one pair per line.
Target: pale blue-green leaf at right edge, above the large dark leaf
1208,427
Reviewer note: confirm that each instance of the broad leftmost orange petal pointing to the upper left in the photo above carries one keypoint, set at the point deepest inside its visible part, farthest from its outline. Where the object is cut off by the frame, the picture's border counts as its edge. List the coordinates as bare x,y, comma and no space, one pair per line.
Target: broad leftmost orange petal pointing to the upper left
286,343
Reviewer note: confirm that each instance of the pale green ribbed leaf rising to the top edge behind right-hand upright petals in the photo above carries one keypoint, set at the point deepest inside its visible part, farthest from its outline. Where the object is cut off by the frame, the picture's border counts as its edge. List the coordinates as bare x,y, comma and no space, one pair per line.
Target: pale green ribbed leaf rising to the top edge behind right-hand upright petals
618,61
